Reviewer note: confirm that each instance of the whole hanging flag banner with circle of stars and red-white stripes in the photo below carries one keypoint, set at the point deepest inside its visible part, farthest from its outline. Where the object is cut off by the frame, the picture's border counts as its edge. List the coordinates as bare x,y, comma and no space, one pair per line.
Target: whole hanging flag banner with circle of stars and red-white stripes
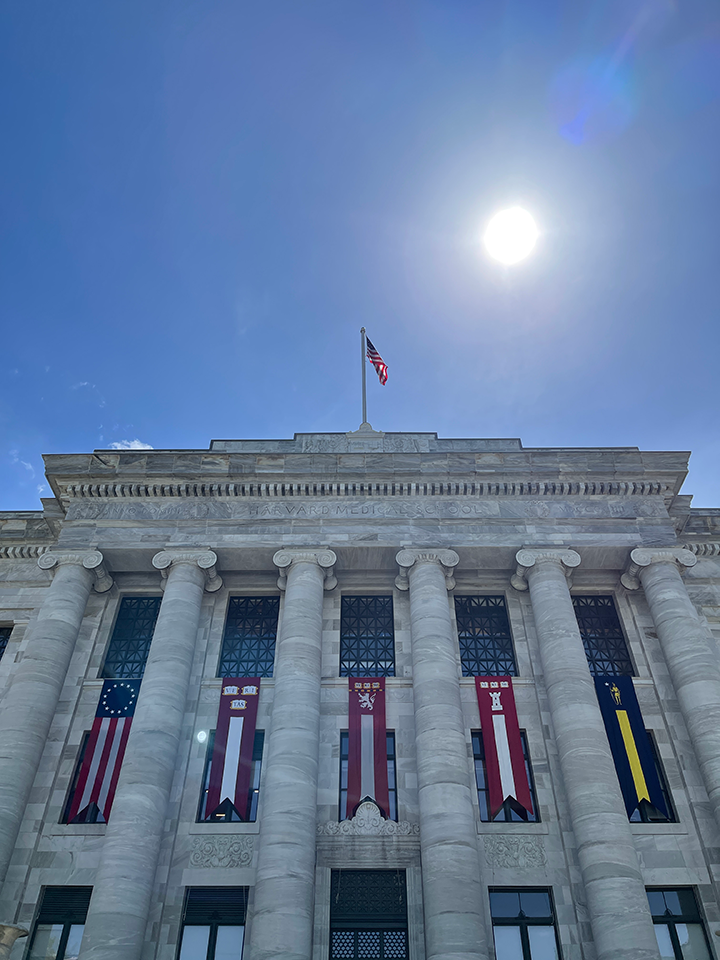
105,750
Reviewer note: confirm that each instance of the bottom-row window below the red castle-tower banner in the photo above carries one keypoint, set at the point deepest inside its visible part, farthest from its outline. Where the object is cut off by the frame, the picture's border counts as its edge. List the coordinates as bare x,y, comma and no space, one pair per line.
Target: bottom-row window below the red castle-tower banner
524,924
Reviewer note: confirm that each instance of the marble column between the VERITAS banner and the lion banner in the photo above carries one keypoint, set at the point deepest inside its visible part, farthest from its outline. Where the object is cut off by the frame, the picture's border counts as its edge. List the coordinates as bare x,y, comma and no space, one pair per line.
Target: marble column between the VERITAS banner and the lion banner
282,918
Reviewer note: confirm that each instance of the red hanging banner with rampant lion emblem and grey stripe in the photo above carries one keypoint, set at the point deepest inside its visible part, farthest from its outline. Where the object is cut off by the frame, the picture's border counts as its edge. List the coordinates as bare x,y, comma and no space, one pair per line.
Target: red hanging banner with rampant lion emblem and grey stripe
367,744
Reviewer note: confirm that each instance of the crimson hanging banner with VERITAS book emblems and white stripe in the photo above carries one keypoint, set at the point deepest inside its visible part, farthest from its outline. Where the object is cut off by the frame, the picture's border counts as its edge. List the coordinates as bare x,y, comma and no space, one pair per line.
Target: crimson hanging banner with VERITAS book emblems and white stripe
231,768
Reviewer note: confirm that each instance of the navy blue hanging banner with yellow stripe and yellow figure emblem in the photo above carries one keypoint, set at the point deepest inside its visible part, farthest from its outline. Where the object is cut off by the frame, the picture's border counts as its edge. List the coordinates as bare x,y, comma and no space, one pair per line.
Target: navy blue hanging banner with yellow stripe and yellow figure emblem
634,762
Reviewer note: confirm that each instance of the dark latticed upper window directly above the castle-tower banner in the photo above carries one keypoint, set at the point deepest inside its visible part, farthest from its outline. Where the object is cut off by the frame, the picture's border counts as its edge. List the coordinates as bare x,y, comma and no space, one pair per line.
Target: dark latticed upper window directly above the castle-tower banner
486,647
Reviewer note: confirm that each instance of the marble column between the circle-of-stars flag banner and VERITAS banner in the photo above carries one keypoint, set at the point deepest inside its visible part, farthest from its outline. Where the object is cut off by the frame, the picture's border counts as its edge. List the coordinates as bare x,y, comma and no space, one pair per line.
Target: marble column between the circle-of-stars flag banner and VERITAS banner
120,902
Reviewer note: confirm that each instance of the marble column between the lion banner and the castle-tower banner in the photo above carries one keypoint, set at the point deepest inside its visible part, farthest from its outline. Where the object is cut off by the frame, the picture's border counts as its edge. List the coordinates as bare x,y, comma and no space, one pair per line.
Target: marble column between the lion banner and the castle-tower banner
453,891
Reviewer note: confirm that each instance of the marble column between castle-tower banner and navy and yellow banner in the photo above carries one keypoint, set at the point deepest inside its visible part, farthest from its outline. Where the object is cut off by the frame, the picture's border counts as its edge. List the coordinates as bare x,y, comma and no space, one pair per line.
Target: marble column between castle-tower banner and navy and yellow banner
616,900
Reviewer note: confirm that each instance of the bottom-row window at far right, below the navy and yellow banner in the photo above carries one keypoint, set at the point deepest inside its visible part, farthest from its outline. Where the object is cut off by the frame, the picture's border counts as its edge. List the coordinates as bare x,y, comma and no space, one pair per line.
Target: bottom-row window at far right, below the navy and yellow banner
679,928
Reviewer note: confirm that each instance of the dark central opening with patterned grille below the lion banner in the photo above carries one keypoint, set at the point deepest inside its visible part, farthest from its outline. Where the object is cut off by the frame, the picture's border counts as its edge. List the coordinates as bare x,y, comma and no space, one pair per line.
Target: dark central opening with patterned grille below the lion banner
368,914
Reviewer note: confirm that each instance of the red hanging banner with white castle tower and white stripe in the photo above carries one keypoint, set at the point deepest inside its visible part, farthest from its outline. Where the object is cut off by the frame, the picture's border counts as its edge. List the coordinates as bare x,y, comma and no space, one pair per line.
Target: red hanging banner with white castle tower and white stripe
504,760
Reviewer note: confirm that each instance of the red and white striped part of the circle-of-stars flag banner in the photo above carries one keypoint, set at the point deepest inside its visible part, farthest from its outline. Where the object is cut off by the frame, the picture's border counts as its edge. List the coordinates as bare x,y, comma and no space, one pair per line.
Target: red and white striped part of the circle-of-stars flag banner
101,765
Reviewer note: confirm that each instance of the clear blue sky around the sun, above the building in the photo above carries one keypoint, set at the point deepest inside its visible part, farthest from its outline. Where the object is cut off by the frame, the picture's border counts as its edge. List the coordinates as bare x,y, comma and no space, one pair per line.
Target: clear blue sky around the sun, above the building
202,202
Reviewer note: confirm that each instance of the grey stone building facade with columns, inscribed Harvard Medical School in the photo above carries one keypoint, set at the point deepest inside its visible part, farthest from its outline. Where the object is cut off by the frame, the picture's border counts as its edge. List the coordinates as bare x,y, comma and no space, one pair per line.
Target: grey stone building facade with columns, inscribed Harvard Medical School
308,520
